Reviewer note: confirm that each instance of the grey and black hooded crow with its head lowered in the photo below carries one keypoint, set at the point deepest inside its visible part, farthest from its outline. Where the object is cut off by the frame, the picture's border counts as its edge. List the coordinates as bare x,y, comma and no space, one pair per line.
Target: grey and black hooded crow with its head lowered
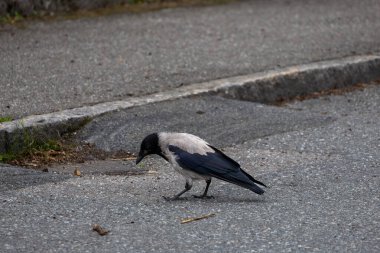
195,159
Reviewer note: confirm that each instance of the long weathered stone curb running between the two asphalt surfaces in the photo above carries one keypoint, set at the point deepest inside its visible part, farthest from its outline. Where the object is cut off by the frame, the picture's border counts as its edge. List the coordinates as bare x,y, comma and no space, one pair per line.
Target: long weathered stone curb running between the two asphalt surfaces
268,86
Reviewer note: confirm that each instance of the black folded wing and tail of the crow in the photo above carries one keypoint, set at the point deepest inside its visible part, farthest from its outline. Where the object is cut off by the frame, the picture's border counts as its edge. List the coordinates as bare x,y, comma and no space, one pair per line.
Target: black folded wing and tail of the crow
216,164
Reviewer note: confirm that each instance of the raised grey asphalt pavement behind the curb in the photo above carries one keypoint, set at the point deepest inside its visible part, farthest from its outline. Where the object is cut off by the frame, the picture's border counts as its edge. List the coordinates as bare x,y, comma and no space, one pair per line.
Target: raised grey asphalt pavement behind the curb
50,66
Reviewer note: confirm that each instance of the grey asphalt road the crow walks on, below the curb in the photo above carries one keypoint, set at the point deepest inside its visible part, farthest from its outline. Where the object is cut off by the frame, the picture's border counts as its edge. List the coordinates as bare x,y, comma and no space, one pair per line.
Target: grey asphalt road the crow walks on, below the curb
322,169
